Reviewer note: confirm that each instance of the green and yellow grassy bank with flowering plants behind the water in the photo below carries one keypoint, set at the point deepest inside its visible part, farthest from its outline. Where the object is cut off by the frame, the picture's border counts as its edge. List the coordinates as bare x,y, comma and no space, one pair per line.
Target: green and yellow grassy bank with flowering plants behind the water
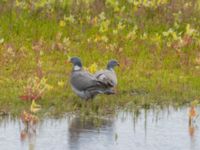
156,44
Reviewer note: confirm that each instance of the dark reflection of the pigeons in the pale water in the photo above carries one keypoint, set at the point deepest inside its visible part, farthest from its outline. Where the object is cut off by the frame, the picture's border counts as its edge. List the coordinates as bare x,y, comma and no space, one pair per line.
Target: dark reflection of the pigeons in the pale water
83,131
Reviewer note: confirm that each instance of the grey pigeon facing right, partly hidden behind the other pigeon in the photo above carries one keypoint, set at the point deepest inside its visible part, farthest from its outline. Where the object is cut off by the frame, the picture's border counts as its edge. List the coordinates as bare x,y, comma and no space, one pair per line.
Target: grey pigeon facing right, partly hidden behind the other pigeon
108,76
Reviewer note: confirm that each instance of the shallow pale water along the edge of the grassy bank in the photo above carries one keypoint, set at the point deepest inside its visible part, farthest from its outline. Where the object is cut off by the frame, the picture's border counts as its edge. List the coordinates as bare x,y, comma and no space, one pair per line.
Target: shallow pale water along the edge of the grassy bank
153,130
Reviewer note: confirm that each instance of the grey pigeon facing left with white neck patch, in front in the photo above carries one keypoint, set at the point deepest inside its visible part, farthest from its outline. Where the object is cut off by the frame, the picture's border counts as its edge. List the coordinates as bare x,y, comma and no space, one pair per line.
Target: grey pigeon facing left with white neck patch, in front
84,84
